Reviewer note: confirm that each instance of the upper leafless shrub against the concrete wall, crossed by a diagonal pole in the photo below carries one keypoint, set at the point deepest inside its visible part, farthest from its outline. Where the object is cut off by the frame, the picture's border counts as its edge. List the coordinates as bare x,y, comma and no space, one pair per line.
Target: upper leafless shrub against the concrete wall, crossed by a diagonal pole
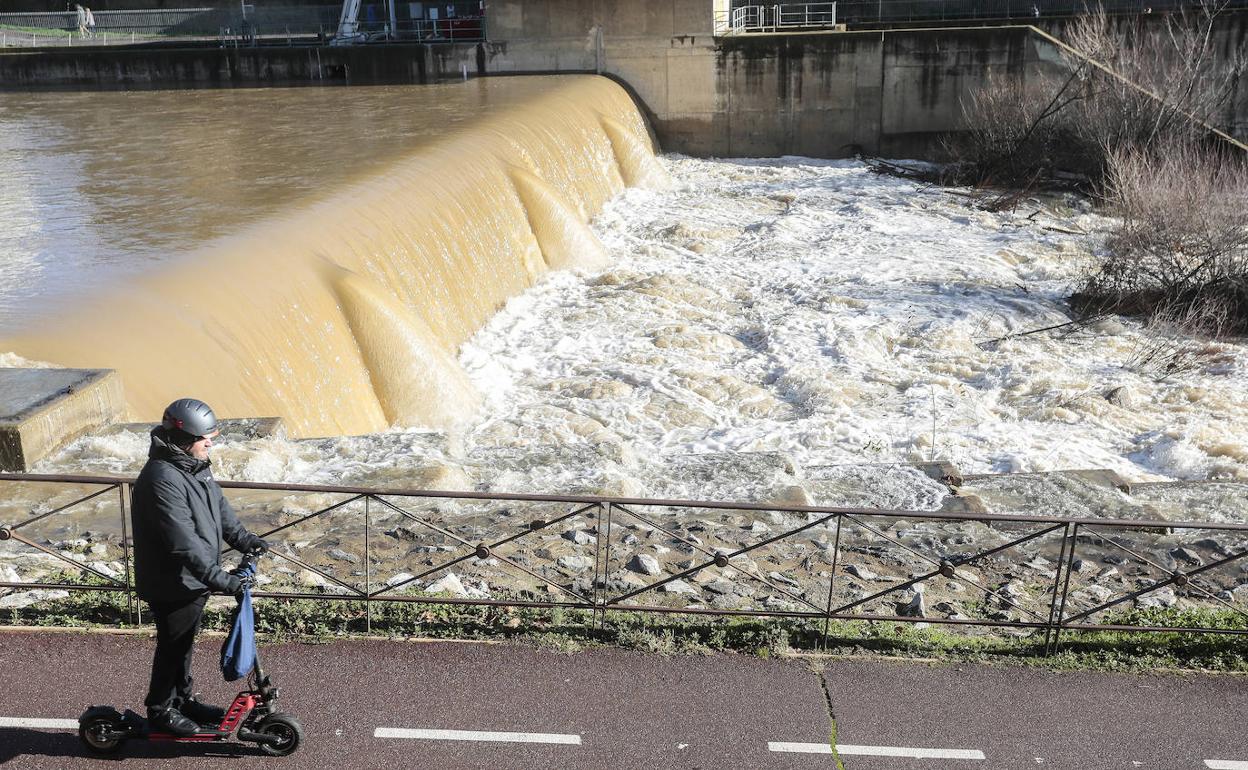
1130,85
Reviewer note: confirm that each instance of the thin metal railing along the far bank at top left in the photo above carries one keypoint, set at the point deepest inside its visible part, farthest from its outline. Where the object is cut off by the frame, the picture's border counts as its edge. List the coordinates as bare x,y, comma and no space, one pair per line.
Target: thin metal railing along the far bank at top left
255,26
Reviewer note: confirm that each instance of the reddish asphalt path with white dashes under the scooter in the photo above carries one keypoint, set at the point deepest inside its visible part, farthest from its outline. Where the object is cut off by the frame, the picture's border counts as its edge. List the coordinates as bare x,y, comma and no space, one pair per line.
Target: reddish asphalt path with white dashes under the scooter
617,709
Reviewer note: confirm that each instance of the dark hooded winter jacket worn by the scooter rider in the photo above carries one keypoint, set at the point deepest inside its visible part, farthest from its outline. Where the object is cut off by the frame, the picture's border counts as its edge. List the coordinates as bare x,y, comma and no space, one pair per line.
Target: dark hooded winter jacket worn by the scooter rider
180,520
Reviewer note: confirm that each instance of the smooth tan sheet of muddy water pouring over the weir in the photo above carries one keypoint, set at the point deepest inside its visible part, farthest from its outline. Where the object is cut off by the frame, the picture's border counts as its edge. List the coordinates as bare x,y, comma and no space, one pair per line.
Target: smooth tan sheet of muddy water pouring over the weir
344,318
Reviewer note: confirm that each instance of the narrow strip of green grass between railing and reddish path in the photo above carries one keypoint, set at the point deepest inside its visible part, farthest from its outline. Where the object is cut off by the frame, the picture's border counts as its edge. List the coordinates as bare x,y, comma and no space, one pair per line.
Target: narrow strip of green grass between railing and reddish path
675,635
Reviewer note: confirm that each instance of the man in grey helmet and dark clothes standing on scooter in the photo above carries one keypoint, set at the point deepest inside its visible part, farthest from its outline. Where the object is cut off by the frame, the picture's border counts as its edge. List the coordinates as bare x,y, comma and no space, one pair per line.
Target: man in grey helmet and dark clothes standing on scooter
180,521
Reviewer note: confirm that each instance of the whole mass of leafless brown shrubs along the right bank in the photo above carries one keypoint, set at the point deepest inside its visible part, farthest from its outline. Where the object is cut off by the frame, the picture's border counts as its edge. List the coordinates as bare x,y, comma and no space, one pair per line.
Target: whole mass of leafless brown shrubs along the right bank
1135,114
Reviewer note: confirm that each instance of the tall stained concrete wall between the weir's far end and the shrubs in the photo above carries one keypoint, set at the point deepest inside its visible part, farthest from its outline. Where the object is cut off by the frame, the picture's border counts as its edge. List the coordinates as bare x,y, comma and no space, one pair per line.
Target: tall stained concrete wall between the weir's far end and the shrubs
826,95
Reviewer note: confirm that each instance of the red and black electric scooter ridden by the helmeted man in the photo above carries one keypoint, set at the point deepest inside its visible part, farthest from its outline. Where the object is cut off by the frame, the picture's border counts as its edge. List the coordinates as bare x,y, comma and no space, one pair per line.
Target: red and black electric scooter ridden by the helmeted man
254,716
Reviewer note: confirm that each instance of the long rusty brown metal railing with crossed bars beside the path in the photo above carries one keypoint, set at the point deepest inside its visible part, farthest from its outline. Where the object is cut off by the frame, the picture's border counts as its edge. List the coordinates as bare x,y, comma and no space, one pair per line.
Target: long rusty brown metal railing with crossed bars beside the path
1044,575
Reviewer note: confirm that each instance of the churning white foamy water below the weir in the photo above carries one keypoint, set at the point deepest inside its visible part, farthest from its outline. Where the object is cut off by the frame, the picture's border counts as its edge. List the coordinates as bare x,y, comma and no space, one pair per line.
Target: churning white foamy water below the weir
766,320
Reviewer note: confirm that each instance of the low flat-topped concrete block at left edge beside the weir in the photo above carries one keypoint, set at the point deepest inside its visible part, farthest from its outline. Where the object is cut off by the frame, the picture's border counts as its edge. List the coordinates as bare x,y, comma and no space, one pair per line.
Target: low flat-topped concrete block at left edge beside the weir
42,410
